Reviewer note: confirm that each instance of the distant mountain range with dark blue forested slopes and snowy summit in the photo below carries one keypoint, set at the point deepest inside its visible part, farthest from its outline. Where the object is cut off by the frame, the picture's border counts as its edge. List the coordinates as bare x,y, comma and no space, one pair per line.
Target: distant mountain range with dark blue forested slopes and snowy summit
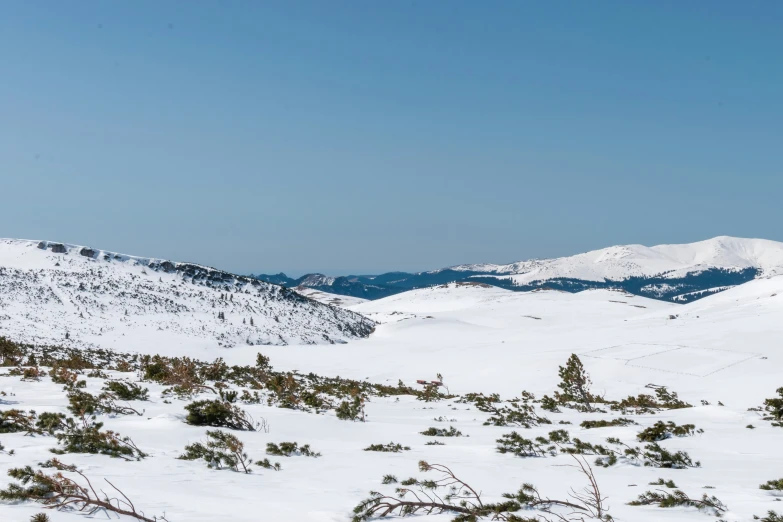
677,273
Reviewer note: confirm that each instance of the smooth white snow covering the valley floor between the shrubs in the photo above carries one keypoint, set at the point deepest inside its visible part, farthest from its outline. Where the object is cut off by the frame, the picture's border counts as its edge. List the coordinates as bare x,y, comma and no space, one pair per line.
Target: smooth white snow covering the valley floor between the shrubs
725,347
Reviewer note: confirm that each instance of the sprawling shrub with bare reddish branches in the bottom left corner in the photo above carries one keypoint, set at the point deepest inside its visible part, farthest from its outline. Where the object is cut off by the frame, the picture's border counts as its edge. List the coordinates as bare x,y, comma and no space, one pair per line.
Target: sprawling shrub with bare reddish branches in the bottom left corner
56,491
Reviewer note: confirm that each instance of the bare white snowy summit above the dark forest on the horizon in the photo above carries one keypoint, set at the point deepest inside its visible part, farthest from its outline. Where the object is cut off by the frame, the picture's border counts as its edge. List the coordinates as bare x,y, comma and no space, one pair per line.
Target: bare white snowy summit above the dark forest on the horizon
621,262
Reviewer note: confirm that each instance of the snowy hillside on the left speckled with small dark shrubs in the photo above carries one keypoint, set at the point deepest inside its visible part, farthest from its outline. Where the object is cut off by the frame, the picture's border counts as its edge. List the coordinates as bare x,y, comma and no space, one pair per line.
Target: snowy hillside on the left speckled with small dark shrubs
67,294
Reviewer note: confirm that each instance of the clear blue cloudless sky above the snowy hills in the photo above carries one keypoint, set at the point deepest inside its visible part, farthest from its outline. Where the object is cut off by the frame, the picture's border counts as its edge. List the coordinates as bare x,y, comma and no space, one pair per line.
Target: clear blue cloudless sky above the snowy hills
370,136
